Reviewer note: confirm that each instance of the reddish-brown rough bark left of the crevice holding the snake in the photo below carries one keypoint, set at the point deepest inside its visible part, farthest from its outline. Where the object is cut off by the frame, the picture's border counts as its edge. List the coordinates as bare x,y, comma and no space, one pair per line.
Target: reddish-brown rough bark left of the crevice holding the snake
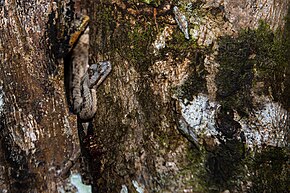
38,134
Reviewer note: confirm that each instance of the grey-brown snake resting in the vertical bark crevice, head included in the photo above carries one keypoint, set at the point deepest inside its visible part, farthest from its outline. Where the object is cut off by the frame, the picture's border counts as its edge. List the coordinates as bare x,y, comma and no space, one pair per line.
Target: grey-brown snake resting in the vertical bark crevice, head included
85,78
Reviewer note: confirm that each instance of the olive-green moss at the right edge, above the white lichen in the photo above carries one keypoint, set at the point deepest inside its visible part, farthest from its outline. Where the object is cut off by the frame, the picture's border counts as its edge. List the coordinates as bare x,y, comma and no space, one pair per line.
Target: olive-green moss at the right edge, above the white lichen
273,64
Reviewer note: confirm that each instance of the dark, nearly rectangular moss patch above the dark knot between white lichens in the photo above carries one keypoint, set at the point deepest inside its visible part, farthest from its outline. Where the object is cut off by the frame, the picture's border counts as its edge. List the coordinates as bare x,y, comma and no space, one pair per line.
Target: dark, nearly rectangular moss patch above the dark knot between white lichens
235,76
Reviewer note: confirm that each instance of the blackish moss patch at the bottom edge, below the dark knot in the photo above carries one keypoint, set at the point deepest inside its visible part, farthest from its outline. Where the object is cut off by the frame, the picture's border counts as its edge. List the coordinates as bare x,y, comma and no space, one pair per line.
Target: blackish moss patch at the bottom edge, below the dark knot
225,166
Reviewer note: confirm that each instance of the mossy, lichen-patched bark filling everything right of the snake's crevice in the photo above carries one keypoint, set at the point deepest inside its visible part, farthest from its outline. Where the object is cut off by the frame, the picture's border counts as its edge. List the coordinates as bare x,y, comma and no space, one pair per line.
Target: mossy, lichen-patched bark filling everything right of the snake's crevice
165,90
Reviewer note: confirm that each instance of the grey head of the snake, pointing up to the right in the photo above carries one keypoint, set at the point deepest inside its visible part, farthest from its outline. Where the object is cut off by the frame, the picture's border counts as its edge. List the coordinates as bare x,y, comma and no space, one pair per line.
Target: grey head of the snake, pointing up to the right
98,73
